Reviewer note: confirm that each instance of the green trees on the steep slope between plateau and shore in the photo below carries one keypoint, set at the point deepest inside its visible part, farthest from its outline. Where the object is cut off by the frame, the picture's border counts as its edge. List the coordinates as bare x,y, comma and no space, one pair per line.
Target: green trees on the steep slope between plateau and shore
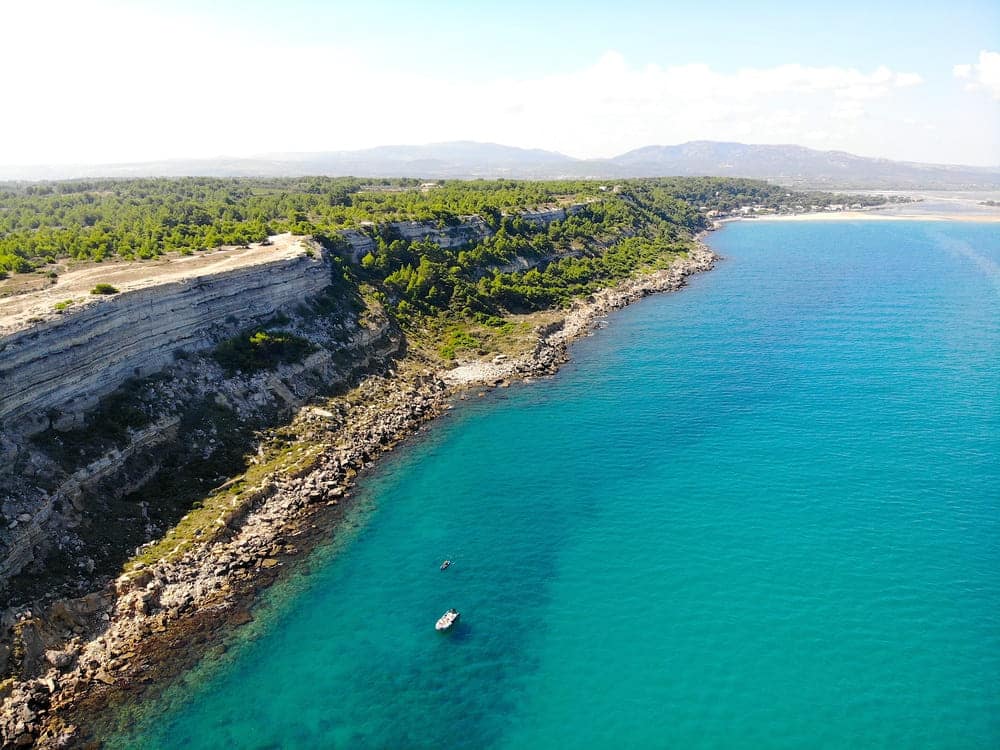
526,266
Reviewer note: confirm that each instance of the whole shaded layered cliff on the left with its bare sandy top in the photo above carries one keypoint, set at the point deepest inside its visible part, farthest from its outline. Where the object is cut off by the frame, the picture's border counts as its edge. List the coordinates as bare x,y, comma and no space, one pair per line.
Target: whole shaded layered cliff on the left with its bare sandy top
111,396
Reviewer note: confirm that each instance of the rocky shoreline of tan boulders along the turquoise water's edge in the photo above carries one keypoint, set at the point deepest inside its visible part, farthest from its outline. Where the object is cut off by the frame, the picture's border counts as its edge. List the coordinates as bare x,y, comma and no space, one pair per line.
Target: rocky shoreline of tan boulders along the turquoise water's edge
92,653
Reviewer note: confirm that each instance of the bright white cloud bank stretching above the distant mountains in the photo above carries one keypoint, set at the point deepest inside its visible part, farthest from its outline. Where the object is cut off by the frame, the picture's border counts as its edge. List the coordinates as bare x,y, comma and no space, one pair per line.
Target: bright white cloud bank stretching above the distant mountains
111,82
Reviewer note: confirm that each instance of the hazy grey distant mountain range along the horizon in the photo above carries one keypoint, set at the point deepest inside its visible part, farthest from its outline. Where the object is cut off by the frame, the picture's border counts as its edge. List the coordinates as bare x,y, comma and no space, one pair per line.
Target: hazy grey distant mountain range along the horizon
789,165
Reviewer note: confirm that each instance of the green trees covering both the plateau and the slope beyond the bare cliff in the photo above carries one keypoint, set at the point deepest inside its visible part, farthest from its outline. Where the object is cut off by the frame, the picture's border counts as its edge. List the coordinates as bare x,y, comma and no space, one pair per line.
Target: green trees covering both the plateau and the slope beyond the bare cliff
536,245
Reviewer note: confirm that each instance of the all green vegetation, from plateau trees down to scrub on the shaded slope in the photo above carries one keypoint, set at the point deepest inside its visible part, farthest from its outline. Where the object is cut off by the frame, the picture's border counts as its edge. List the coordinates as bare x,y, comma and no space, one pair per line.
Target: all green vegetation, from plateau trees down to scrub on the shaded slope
533,247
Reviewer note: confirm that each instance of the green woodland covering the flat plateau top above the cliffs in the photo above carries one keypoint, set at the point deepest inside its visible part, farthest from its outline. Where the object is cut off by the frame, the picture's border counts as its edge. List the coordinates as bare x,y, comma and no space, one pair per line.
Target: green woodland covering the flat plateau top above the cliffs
41,223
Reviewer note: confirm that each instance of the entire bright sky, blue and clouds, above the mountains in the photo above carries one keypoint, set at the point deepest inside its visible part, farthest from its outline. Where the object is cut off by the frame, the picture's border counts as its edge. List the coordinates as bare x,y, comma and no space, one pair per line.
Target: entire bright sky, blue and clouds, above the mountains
588,79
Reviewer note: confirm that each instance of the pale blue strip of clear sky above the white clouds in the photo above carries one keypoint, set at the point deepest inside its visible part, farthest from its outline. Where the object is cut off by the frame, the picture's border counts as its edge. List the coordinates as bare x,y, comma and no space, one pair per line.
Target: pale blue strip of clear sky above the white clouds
521,38
